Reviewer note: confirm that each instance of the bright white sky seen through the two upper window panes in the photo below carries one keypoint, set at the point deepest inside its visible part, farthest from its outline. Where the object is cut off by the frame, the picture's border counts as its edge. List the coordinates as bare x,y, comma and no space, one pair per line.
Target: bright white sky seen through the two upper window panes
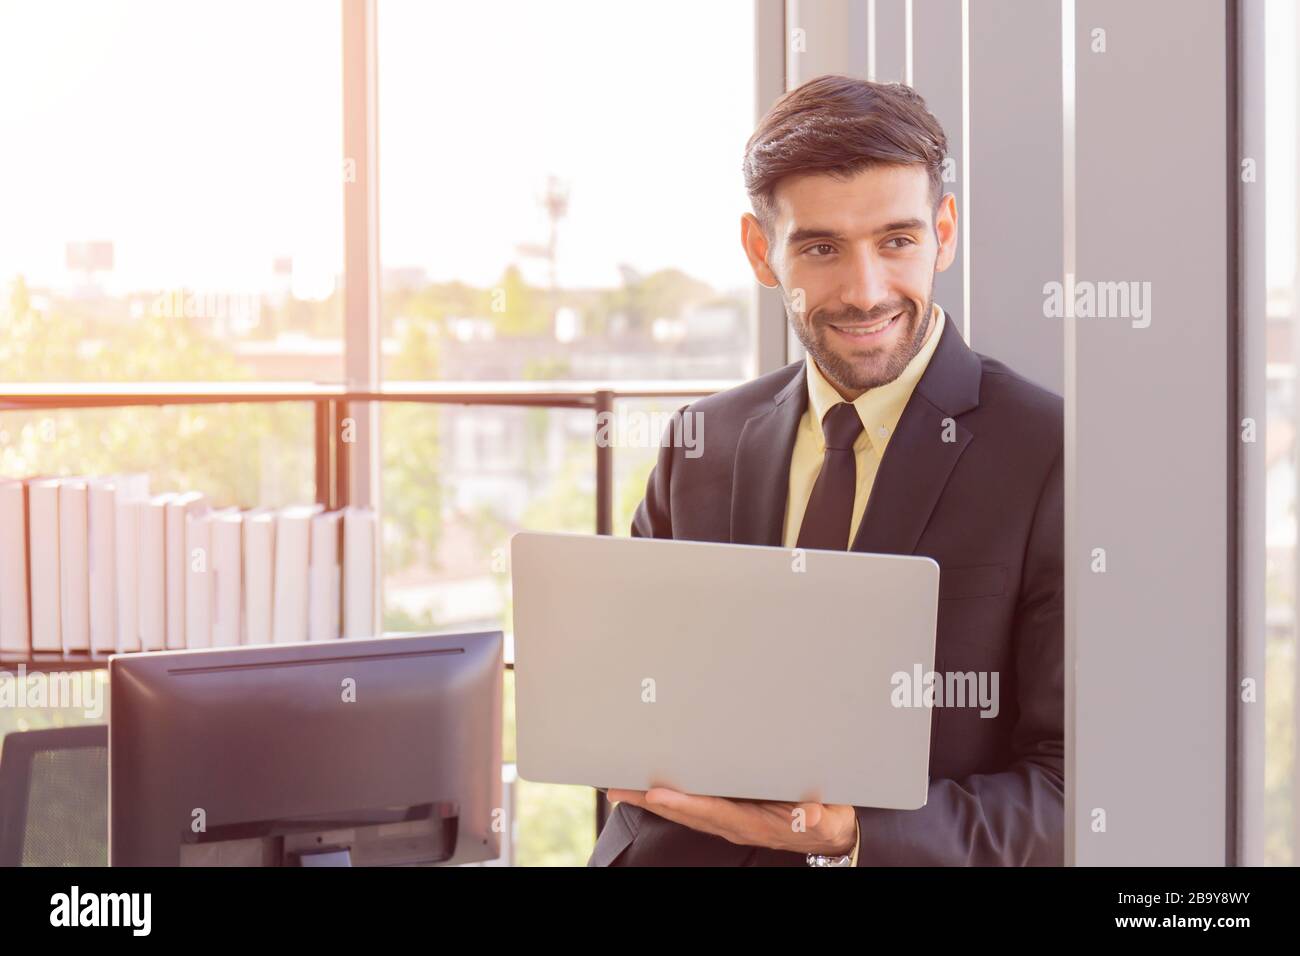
206,139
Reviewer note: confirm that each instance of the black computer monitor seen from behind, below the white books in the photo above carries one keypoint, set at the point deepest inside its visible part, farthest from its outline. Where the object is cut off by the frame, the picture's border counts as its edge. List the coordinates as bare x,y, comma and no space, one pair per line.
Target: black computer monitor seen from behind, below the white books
369,752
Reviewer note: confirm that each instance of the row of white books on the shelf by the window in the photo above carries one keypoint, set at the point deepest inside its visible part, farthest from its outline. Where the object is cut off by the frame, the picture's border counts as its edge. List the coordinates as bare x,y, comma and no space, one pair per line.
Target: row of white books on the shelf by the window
99,565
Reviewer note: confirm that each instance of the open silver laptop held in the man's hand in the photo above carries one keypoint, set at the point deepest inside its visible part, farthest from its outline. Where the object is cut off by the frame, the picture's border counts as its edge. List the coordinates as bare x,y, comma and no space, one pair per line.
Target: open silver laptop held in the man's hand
730,671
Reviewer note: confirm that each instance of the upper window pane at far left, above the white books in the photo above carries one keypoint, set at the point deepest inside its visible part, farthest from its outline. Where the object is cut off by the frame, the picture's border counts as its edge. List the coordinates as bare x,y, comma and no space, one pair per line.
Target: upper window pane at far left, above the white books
171,192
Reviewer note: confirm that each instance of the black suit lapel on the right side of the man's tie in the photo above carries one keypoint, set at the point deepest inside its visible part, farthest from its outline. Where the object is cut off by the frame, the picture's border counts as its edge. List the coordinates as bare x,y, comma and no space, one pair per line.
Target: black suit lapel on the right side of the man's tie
918,460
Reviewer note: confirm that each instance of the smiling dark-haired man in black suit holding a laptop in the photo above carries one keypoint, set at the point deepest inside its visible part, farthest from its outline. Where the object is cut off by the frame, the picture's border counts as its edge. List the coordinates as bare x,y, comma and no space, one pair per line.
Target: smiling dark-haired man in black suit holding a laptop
891,436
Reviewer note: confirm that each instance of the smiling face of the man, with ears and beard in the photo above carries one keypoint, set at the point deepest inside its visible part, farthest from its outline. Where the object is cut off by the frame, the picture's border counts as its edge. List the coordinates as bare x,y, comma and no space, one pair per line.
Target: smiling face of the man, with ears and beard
856,262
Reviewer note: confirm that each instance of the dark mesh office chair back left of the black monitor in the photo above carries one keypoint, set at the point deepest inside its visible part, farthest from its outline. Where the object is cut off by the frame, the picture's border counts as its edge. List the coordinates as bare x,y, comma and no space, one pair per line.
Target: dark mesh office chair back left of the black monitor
54,798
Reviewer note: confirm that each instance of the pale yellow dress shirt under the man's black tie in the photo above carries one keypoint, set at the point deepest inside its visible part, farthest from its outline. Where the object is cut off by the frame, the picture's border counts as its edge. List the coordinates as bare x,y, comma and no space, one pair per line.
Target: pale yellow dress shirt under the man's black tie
879,410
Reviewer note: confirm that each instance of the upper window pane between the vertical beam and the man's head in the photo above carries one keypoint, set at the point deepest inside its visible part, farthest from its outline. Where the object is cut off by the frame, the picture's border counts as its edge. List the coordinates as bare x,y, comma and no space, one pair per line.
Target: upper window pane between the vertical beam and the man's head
560,198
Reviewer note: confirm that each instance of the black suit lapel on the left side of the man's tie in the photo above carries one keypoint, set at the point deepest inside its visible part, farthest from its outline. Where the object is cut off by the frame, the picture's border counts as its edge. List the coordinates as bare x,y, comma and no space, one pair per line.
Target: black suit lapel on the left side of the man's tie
762,474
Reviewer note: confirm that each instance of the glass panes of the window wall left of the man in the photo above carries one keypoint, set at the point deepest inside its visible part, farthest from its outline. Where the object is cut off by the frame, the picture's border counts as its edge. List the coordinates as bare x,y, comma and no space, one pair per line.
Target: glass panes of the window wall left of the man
558,202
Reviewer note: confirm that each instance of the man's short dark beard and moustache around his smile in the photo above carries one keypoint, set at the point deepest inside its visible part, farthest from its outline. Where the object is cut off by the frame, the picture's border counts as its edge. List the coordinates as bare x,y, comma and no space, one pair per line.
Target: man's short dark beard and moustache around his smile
859,370
